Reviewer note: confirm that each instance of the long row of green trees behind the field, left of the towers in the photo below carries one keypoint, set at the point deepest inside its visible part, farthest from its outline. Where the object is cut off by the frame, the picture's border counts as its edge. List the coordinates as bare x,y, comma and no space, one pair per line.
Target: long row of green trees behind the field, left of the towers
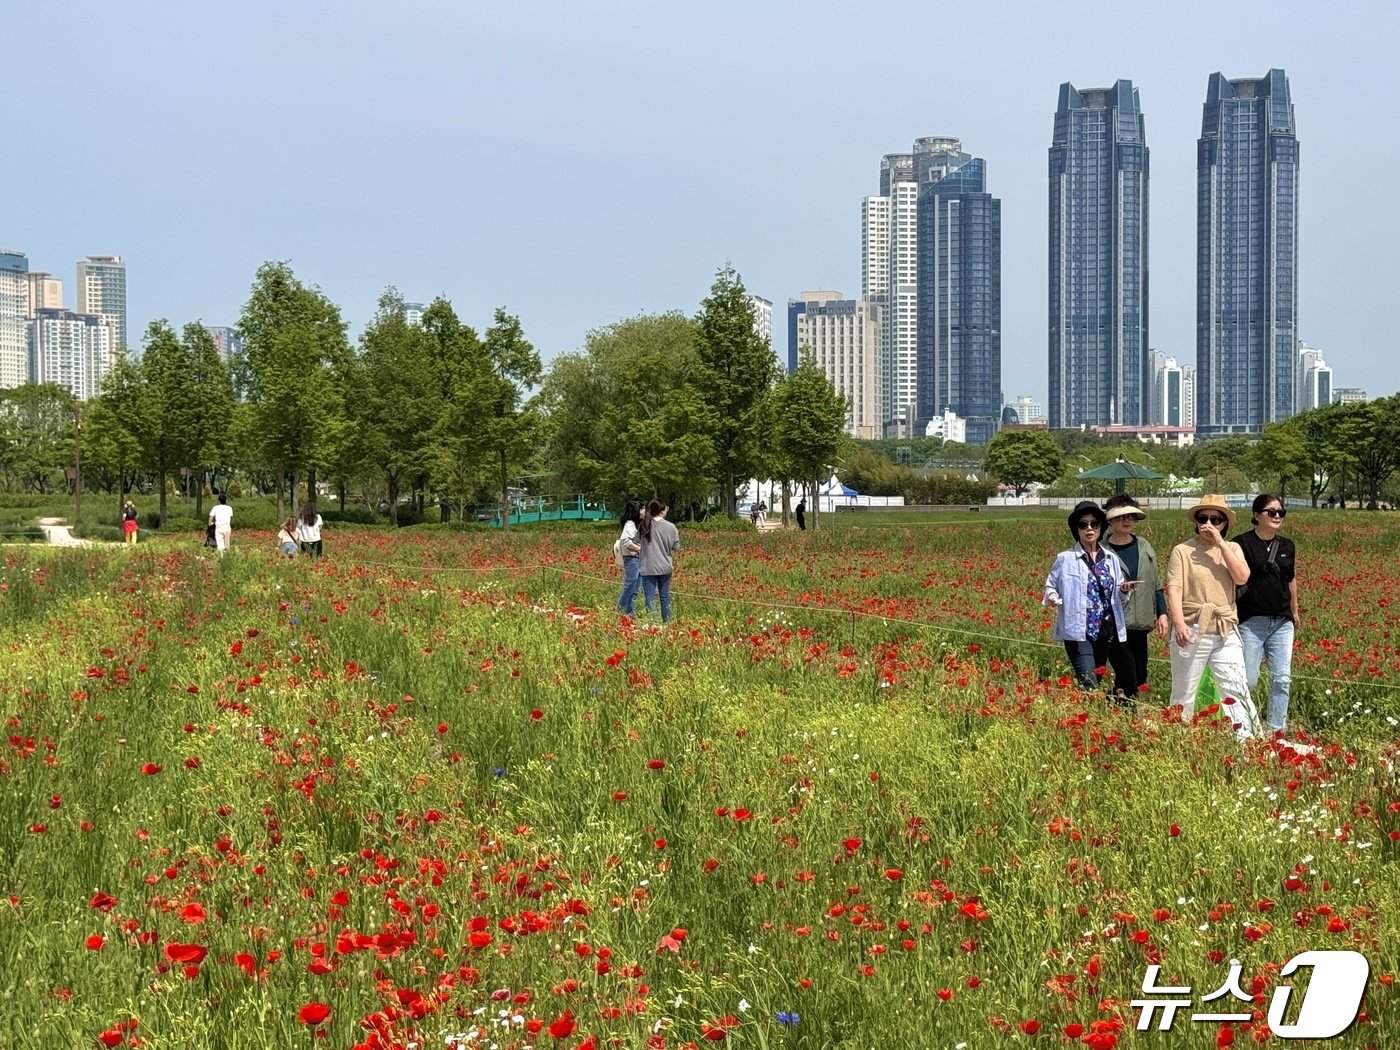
656,407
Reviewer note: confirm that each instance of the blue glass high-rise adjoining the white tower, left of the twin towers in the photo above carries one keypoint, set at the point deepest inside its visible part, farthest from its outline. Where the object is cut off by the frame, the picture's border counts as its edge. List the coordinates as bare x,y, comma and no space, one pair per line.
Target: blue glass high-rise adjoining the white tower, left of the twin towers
958,292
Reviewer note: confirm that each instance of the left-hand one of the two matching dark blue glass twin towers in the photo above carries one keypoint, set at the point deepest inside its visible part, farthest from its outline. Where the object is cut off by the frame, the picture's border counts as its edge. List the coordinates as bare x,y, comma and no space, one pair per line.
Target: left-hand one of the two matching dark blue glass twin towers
1098,258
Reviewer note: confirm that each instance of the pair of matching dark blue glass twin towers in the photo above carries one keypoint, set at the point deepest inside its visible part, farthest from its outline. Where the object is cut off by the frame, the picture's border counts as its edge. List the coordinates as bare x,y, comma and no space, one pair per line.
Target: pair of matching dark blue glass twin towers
1247,258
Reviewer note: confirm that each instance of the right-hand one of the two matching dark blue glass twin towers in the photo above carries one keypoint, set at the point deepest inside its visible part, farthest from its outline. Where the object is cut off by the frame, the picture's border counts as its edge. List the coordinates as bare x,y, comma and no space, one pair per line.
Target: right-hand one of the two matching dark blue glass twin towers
1247,255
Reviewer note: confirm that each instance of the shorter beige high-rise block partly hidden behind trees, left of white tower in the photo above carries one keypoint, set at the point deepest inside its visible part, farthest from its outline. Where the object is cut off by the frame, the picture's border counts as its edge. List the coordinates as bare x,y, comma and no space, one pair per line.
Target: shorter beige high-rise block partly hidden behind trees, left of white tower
843,338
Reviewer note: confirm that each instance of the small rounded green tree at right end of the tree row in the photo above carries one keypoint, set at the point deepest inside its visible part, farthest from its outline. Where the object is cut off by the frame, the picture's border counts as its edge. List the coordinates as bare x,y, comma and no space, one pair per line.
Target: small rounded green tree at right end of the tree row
810,416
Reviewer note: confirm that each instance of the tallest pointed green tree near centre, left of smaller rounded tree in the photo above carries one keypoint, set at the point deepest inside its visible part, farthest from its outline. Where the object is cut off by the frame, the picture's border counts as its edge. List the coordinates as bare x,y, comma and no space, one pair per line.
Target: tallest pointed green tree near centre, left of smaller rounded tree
737,373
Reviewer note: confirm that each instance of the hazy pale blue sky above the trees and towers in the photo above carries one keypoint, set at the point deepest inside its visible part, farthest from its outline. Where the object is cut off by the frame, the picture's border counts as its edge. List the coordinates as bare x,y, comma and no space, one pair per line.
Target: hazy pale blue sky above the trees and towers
580,163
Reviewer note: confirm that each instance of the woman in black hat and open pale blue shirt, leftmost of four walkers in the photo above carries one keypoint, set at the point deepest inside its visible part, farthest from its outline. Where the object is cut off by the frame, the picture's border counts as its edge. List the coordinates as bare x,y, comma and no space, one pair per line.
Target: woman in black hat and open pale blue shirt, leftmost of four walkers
1086,589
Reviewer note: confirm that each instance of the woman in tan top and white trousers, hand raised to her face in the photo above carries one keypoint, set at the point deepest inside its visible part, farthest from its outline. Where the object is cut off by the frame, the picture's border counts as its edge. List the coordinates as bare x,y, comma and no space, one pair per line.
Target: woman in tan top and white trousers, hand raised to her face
1202,576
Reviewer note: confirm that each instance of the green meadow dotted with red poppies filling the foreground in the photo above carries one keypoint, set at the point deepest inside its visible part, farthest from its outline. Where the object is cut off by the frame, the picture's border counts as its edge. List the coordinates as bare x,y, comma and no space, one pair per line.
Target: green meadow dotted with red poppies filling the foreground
432,793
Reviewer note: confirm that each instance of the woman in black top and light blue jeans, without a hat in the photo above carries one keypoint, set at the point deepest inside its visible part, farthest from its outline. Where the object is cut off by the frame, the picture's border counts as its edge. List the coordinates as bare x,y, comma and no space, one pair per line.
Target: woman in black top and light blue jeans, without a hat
1269,607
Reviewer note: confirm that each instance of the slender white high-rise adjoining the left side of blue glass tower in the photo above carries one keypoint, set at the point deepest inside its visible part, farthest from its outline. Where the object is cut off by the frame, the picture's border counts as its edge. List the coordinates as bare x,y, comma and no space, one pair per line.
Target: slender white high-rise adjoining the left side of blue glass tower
890,275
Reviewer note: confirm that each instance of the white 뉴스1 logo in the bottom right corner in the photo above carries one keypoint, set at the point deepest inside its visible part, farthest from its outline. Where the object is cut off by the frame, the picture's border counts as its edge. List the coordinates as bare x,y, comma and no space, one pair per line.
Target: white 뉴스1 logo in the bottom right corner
1329,1009
